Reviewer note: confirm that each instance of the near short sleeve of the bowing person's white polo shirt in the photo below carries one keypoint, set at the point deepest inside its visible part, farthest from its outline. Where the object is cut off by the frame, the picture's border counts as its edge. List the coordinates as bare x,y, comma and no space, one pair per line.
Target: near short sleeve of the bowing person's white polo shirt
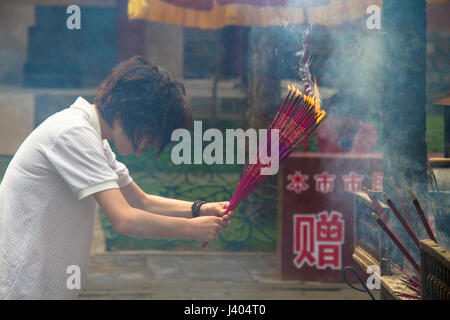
78,156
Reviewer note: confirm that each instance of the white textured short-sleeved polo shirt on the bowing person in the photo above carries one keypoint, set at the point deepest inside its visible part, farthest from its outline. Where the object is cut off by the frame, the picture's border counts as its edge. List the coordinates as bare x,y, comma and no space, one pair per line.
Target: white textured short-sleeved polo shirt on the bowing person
47,211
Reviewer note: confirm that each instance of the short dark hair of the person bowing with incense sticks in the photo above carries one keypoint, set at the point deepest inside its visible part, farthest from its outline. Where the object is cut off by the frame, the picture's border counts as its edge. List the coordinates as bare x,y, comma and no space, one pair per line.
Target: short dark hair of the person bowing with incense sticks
147,100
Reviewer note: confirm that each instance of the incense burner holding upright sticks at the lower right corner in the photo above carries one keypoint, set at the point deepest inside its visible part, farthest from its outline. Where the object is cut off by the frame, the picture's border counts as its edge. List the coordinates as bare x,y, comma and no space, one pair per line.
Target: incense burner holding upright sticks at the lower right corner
372,247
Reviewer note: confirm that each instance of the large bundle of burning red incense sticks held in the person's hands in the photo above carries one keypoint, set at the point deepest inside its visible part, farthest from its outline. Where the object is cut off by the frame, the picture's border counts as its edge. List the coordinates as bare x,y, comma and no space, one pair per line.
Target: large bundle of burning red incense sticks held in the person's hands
297,118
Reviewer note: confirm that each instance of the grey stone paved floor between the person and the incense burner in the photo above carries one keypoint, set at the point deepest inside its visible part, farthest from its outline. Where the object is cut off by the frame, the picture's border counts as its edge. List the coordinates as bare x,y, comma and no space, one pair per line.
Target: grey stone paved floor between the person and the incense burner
171,275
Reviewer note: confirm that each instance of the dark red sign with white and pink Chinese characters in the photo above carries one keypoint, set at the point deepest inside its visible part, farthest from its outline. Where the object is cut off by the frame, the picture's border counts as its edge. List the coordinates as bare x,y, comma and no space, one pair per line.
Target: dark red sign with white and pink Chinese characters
316,238
